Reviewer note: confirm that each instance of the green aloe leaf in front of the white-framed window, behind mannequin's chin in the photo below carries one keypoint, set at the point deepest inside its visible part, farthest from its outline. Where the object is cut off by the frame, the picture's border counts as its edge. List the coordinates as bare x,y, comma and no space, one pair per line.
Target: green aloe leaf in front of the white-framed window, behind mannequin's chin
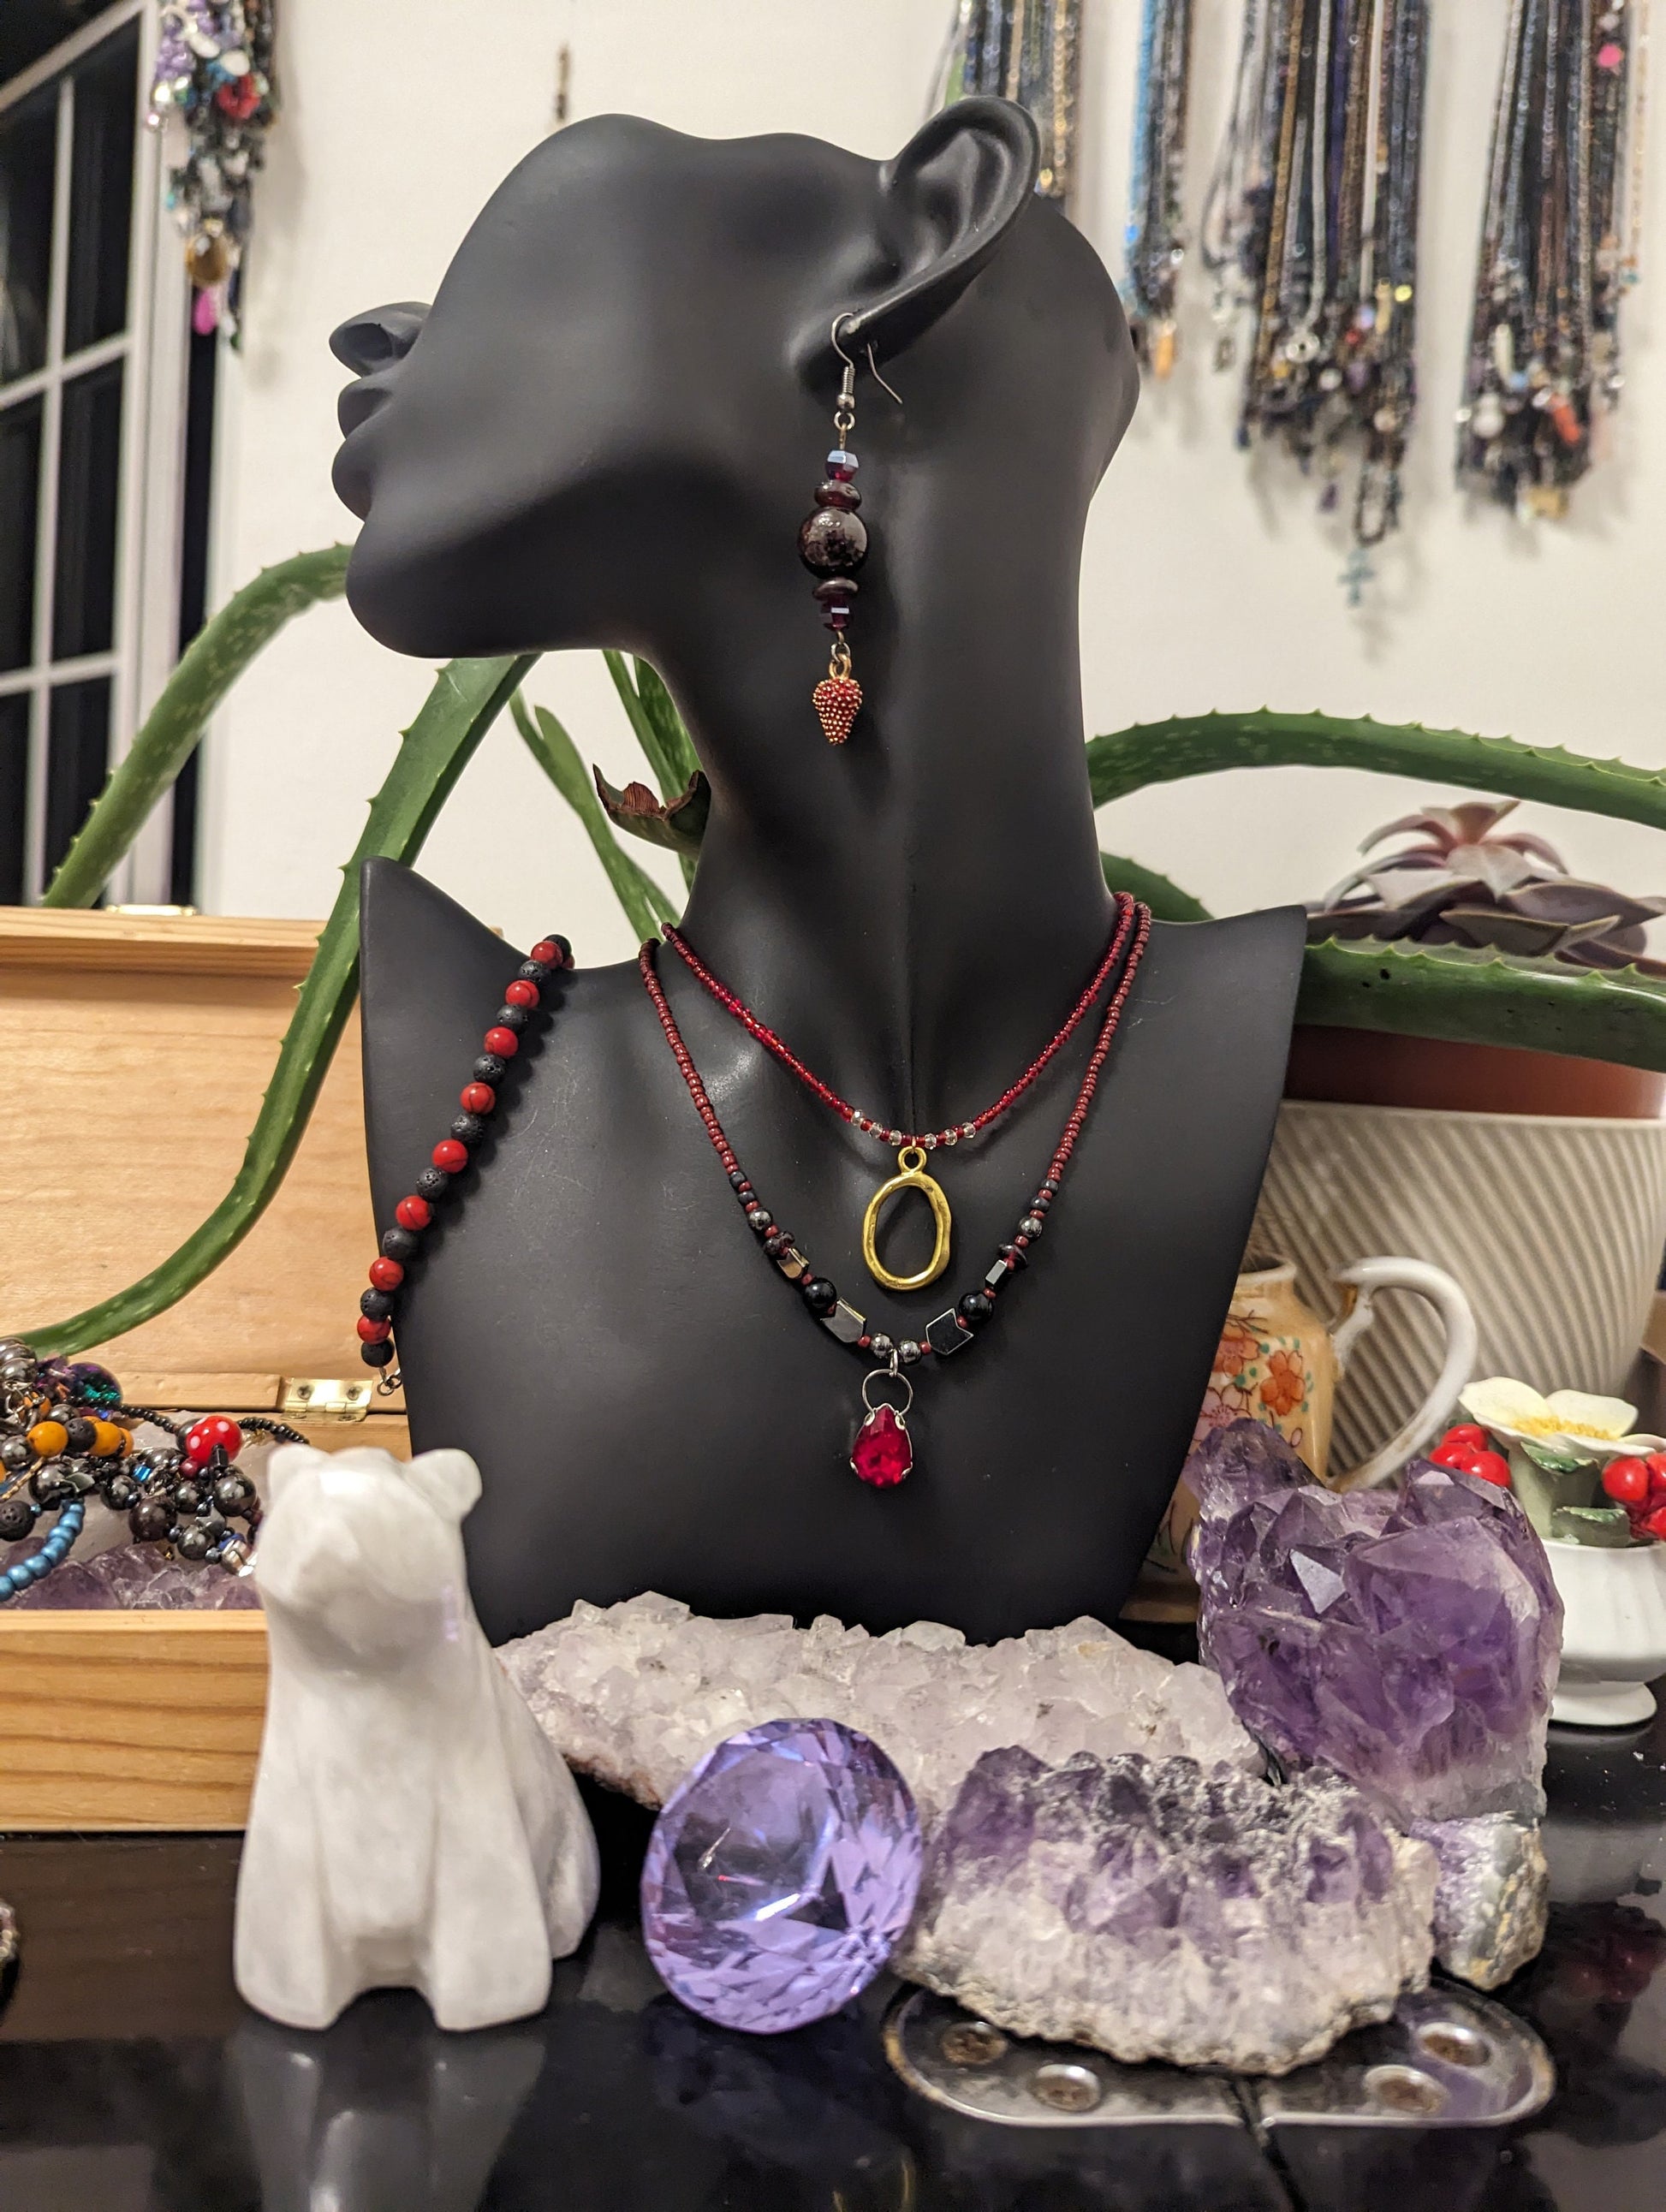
207,671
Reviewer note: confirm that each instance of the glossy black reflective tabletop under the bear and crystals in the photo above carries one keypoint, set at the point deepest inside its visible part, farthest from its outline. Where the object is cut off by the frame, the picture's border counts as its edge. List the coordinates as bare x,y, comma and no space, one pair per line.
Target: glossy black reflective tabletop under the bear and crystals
134,2080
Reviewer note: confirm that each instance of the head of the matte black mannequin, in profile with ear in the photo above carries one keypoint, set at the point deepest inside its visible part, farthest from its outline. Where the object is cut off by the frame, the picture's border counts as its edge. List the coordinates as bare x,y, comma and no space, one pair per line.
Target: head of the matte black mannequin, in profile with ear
614,415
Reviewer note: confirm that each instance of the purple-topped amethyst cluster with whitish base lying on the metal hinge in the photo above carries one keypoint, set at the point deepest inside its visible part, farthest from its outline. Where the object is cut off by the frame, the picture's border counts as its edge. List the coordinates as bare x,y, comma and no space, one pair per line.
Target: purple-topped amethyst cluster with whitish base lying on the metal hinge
1160,1912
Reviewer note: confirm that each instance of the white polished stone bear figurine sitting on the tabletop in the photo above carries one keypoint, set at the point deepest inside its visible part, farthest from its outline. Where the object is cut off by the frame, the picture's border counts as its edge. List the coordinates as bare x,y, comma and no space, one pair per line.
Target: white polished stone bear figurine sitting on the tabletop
413,1826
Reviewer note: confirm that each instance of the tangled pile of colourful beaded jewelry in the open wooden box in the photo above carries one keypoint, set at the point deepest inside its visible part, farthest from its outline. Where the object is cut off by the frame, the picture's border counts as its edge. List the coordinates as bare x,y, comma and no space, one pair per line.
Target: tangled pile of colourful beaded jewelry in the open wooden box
67,1437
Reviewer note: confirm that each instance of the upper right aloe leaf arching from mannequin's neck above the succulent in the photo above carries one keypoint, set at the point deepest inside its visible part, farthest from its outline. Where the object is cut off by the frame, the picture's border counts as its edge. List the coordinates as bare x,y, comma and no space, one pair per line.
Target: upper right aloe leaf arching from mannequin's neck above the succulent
1200,744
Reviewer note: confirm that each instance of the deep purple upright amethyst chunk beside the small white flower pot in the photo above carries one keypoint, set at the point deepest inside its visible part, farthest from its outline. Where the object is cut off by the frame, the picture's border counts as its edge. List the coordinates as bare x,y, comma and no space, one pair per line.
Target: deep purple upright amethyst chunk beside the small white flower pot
1408,1636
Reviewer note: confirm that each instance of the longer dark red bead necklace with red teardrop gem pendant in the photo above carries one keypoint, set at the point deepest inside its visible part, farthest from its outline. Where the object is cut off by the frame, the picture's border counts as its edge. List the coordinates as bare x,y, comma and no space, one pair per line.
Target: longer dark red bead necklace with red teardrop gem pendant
882,1450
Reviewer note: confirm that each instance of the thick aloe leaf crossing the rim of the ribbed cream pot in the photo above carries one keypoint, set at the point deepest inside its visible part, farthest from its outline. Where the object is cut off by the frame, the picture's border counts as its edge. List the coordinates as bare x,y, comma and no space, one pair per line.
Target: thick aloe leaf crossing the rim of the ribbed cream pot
1483,997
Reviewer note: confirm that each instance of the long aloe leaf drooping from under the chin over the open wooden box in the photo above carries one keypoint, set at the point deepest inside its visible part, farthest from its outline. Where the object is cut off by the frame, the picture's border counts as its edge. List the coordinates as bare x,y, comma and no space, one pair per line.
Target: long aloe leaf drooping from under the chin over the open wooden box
435,751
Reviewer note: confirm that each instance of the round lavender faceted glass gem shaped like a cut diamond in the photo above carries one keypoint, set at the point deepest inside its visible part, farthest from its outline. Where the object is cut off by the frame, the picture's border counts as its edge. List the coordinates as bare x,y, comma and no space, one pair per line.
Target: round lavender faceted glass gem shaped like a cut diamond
782,1875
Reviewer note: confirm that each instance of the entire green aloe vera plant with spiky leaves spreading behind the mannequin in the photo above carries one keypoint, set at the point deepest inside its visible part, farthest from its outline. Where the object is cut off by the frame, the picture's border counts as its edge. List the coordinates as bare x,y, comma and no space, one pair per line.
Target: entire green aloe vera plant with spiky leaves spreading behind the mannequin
1419,990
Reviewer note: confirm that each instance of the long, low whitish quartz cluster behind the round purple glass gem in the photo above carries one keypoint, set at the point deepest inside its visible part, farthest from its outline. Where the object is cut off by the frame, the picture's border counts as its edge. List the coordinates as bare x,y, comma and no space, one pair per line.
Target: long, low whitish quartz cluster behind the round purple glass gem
638,1693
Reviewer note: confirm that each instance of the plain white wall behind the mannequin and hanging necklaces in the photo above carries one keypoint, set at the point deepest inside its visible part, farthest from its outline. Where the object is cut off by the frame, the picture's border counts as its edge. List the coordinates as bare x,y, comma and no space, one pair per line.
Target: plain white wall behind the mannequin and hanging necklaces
1209,576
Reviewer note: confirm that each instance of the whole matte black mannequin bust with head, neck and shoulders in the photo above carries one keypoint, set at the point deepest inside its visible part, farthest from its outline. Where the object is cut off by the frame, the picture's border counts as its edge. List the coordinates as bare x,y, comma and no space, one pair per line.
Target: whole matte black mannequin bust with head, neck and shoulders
607,430
